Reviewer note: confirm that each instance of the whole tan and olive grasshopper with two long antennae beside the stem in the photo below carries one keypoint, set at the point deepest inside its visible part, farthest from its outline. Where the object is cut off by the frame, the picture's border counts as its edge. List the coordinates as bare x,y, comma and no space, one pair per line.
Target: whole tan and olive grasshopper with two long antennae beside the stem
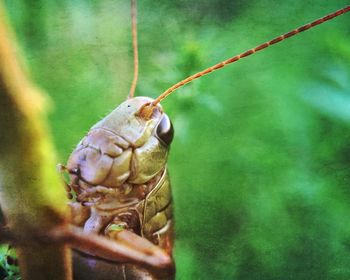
118,172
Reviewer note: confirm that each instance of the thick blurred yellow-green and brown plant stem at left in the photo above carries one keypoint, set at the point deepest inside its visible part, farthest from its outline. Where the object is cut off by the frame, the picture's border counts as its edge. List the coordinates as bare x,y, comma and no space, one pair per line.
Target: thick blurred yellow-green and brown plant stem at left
31,195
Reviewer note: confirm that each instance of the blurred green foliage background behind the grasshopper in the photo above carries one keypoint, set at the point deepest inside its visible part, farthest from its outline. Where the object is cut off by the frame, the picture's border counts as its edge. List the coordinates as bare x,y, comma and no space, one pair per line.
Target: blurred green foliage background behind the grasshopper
260,160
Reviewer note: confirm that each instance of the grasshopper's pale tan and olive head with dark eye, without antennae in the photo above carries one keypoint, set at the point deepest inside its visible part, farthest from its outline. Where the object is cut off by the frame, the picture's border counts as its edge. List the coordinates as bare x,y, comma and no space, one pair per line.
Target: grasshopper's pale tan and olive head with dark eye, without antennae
122,148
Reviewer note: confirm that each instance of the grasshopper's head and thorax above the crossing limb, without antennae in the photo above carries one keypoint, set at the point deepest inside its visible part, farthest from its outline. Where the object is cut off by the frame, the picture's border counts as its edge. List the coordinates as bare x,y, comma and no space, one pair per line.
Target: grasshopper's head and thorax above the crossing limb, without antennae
118,172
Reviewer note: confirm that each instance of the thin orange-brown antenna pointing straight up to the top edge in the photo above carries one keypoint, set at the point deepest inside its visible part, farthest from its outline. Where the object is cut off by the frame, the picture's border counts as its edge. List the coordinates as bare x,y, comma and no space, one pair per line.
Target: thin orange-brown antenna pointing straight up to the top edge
135,49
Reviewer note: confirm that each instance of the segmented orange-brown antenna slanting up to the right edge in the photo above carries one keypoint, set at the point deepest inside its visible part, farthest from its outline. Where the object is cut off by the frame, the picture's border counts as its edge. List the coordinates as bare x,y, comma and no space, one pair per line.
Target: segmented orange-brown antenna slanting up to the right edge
249,52
